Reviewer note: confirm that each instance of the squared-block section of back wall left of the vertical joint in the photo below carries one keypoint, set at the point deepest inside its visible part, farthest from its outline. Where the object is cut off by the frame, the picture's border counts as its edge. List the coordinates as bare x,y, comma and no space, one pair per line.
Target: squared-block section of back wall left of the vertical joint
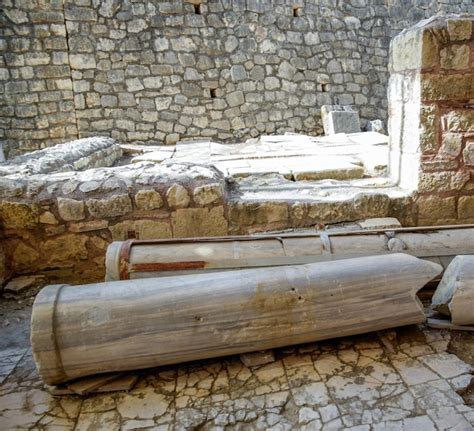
36,100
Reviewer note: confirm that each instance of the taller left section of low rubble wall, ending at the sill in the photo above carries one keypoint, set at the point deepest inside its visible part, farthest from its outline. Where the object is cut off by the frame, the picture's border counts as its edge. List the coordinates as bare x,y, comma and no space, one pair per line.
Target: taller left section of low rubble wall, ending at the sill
62,223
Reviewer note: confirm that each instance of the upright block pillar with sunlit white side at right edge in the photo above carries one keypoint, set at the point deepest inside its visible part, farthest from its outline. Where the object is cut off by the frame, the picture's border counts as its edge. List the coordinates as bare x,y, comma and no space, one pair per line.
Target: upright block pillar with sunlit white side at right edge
431,107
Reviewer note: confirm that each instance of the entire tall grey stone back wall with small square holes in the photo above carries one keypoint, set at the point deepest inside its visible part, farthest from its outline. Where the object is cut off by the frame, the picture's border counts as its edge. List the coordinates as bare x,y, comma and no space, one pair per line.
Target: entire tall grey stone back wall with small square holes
164,70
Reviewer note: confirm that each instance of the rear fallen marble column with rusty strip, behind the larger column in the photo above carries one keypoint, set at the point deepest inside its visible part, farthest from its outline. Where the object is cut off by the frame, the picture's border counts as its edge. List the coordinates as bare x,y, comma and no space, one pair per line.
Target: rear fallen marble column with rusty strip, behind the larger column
134,259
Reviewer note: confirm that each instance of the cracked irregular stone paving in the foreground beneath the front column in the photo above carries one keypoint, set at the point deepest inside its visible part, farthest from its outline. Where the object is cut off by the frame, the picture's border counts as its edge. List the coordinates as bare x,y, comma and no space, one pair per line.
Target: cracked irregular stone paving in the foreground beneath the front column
402,379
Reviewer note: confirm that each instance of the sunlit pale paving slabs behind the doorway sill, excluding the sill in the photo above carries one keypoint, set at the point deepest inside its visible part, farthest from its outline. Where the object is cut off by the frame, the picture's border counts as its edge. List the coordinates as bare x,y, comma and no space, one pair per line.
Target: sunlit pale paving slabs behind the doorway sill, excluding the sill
295,157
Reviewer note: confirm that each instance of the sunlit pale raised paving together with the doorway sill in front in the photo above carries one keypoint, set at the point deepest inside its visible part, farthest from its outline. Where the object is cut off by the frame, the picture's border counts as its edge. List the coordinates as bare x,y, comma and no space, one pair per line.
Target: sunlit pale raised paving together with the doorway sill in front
335,168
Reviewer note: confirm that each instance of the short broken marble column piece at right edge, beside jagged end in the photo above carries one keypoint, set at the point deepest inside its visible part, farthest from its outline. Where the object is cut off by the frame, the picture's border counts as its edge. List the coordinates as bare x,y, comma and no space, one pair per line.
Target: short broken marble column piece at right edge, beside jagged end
455,293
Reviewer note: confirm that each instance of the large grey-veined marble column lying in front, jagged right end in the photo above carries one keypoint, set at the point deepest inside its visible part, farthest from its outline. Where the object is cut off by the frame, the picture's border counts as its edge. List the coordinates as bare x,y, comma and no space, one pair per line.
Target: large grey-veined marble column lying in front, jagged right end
116,326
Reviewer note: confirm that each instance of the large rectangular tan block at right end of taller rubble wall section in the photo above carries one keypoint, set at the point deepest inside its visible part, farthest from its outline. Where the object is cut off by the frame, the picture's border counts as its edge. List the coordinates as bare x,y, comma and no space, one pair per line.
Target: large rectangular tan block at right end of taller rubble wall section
195,222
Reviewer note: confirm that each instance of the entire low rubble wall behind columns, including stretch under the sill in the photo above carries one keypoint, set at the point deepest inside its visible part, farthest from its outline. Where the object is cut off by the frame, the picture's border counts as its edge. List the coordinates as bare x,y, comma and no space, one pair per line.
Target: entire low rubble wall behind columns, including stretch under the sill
61,224
